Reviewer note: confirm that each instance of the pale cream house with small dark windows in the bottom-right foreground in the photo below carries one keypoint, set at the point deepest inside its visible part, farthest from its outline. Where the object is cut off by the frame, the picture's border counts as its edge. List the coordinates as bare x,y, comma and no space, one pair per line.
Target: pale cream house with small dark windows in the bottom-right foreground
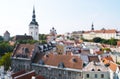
95,70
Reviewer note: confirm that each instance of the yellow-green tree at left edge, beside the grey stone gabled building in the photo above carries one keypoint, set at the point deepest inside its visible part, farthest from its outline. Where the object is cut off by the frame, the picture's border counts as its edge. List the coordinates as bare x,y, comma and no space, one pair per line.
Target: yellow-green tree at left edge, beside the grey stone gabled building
6,61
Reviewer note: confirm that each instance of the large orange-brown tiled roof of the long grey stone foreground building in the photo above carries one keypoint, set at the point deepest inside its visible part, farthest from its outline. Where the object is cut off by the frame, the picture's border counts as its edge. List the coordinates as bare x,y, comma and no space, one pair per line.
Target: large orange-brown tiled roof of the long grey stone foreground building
68,61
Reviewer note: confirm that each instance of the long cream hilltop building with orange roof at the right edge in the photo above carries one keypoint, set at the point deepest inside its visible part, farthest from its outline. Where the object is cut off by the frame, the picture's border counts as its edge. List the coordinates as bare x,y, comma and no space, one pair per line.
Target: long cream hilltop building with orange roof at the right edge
105,34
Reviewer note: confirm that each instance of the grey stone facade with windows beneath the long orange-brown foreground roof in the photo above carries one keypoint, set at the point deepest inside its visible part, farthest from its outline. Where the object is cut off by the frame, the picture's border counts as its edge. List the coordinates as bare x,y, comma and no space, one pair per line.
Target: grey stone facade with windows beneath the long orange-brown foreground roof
50,72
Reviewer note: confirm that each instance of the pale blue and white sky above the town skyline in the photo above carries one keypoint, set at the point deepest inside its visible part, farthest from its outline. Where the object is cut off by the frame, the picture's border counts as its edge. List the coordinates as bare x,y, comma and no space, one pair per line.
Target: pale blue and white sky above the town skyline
63,15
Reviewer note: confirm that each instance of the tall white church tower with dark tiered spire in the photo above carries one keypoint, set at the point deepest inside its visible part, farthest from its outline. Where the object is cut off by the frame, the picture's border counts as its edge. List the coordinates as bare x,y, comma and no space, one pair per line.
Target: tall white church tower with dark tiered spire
34,27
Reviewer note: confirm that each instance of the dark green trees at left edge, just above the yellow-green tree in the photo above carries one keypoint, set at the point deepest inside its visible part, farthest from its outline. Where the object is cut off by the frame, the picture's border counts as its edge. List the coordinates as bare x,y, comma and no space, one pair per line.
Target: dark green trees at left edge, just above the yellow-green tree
5,47
